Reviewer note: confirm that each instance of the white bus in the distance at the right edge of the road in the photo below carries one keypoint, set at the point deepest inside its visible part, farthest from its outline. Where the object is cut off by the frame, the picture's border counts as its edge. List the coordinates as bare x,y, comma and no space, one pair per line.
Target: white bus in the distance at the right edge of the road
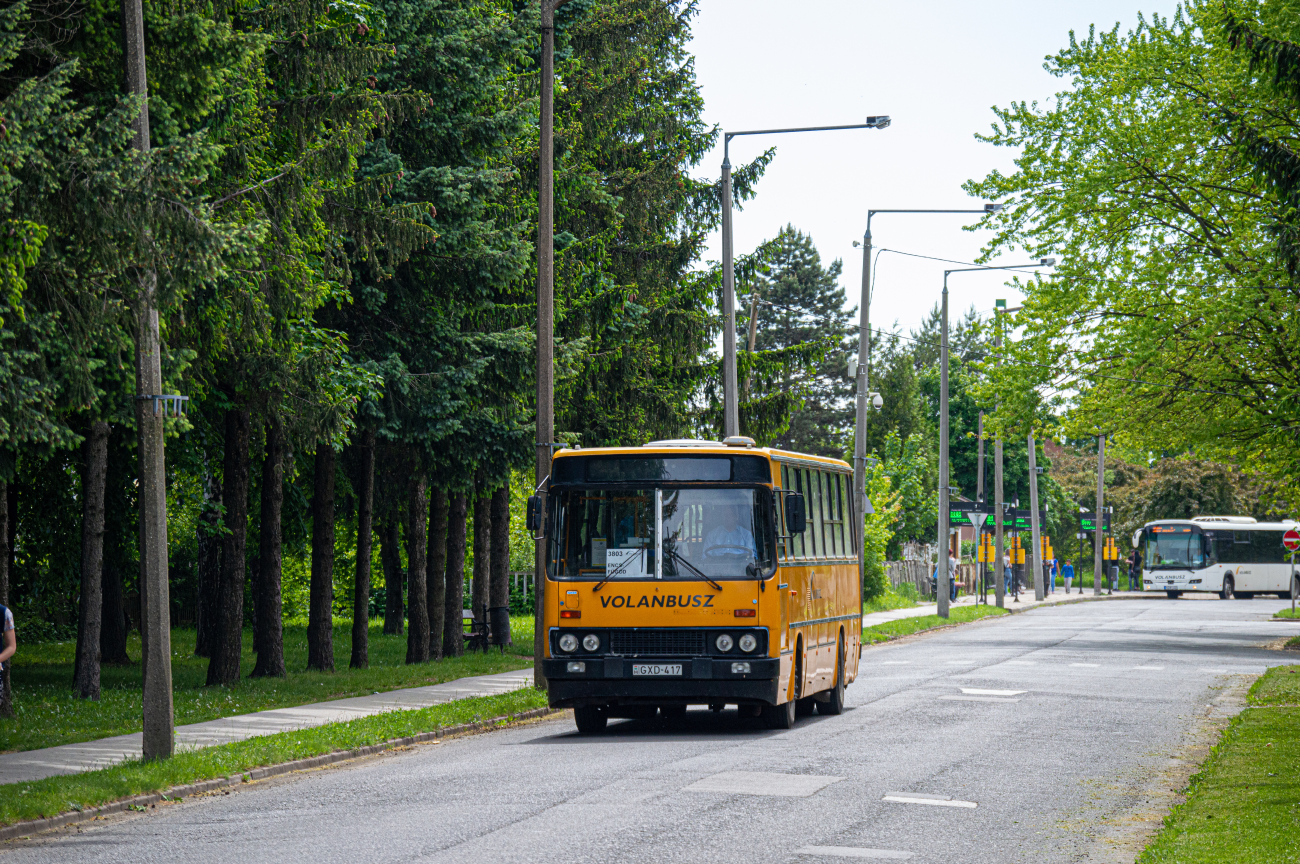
1229,555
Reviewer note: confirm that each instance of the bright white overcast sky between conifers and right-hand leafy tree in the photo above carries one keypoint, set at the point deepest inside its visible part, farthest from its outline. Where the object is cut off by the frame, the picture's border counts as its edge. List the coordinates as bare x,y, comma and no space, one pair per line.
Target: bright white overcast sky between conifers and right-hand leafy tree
937,68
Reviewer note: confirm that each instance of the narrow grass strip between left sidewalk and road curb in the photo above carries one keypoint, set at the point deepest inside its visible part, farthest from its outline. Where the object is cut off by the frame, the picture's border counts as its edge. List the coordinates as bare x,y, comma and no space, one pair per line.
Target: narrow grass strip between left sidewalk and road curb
54,796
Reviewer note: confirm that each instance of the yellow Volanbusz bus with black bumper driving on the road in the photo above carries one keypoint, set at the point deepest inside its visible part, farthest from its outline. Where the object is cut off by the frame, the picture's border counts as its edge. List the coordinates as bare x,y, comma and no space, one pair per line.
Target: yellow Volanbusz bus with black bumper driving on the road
695,572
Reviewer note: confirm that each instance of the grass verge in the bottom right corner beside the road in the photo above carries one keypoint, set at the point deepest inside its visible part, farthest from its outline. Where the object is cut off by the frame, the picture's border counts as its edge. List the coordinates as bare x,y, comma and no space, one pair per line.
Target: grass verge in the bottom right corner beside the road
1242,805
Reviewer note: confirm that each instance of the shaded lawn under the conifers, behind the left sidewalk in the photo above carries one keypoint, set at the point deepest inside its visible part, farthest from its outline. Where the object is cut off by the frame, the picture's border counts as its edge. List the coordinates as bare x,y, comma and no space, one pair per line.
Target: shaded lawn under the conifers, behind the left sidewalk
47,713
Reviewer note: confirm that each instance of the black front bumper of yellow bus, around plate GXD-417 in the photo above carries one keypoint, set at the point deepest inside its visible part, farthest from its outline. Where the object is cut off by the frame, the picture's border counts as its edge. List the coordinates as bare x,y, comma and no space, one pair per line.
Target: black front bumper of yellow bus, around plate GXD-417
612,681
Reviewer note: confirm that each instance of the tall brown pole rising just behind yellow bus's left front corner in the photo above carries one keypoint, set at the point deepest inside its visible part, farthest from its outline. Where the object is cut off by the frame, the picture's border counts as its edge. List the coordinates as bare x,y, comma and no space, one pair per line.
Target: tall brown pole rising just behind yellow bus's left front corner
545,316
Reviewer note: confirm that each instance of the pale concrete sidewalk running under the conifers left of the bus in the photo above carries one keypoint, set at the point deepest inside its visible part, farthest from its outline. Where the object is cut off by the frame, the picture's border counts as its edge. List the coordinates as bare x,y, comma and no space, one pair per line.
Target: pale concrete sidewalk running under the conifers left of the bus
73,759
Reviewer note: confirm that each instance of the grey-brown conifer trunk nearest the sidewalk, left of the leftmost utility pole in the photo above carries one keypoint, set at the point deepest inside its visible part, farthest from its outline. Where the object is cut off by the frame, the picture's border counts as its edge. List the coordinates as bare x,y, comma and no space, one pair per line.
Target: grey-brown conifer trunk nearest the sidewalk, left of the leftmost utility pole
86,668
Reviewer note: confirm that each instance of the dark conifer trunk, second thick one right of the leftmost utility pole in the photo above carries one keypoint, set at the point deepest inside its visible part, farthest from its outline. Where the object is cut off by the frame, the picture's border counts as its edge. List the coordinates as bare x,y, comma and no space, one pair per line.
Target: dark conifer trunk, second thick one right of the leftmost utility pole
271,629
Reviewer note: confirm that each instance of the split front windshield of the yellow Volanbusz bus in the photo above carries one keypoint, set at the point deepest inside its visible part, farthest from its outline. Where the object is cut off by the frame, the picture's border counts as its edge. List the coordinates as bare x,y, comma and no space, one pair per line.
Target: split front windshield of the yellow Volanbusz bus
708,533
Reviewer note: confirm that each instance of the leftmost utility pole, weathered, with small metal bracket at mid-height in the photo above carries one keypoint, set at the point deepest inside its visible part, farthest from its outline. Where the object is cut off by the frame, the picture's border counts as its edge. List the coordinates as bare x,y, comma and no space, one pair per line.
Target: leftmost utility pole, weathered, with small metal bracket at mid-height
159,722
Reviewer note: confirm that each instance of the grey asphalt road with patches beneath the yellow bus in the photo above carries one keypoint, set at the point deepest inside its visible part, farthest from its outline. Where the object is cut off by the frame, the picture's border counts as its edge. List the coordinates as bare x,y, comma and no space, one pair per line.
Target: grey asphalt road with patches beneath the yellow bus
1073,769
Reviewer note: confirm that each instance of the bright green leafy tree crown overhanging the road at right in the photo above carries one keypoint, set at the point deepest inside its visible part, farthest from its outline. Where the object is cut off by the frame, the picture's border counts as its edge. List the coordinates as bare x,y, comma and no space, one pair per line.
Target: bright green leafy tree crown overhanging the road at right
1150,177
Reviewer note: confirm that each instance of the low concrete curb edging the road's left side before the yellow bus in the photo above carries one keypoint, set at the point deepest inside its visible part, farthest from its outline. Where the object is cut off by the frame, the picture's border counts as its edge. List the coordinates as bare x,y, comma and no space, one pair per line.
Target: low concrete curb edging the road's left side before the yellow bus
72,818
